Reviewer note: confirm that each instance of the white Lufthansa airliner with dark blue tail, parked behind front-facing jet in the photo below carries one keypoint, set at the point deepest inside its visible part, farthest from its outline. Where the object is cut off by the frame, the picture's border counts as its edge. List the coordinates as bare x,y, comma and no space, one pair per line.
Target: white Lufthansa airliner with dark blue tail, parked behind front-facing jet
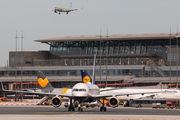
168,94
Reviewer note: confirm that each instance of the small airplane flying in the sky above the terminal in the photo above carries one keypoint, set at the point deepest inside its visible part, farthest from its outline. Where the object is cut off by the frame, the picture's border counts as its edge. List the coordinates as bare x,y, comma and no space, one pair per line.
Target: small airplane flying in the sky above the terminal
62,9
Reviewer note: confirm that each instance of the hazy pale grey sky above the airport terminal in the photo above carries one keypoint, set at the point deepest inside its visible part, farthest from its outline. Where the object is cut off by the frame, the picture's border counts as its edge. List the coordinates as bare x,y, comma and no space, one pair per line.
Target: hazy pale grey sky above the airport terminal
118,16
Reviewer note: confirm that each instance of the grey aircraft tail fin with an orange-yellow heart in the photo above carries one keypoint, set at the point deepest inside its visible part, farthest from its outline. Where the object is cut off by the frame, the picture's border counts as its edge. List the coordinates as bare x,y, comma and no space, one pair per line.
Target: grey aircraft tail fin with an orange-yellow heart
44,83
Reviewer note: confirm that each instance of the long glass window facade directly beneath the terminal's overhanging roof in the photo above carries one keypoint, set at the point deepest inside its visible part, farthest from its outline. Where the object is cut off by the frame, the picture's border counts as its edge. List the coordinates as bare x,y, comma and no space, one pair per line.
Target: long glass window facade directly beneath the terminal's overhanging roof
113,47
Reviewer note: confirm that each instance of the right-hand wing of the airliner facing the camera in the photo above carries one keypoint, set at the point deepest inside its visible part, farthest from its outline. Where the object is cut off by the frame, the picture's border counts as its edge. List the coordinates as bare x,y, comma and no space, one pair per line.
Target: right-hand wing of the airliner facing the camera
122,94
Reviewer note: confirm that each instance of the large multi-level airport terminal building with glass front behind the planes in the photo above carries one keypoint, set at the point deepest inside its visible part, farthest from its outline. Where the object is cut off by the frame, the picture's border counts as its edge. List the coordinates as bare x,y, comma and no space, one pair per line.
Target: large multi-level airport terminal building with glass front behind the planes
146,59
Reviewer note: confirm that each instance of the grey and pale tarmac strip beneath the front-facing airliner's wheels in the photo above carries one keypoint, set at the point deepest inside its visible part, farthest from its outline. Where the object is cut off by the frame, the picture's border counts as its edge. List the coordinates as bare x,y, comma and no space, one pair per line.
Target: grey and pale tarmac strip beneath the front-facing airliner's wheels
62,113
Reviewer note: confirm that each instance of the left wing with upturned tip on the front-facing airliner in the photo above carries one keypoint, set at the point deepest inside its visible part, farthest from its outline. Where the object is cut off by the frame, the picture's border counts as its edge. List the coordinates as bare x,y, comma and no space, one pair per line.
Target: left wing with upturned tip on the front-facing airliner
36,93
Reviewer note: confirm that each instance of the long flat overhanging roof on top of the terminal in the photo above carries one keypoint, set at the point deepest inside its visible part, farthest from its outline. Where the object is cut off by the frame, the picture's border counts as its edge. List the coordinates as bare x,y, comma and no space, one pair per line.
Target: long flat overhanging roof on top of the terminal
110,37
